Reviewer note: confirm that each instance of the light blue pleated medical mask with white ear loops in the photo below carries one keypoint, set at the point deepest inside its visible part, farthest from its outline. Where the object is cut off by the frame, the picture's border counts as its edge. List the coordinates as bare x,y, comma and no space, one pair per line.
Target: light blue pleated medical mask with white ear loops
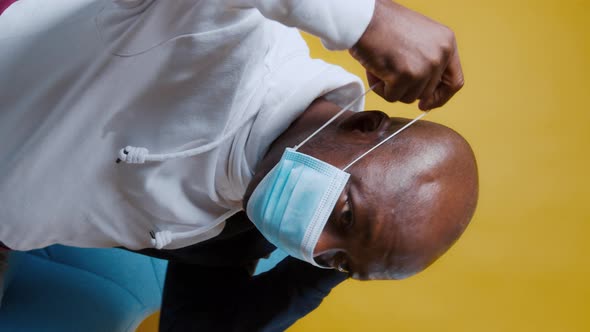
293,202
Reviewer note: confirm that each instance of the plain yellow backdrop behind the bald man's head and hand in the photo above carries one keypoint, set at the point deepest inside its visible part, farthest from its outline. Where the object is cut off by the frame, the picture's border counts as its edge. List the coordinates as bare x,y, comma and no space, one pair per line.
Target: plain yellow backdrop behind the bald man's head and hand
523,264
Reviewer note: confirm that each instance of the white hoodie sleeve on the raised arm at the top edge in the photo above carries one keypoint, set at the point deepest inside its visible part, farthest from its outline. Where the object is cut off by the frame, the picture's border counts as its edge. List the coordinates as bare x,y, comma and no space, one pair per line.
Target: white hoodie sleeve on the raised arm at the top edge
339,23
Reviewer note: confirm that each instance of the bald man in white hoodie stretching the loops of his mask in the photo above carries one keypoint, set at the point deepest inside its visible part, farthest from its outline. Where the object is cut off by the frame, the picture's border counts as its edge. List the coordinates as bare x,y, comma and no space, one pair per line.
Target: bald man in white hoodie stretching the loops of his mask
189,95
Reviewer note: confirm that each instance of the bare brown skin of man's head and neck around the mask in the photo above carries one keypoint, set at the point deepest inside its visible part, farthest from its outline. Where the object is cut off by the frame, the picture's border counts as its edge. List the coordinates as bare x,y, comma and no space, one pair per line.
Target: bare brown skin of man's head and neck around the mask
405,203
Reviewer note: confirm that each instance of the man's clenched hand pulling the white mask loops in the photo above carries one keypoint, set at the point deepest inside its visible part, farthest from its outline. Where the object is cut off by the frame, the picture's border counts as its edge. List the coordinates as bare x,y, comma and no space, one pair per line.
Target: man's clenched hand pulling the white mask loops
411,55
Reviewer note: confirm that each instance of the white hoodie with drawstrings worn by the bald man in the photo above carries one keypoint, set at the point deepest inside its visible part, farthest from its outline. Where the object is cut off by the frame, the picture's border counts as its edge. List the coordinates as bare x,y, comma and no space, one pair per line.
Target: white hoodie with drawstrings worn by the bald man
79,80
